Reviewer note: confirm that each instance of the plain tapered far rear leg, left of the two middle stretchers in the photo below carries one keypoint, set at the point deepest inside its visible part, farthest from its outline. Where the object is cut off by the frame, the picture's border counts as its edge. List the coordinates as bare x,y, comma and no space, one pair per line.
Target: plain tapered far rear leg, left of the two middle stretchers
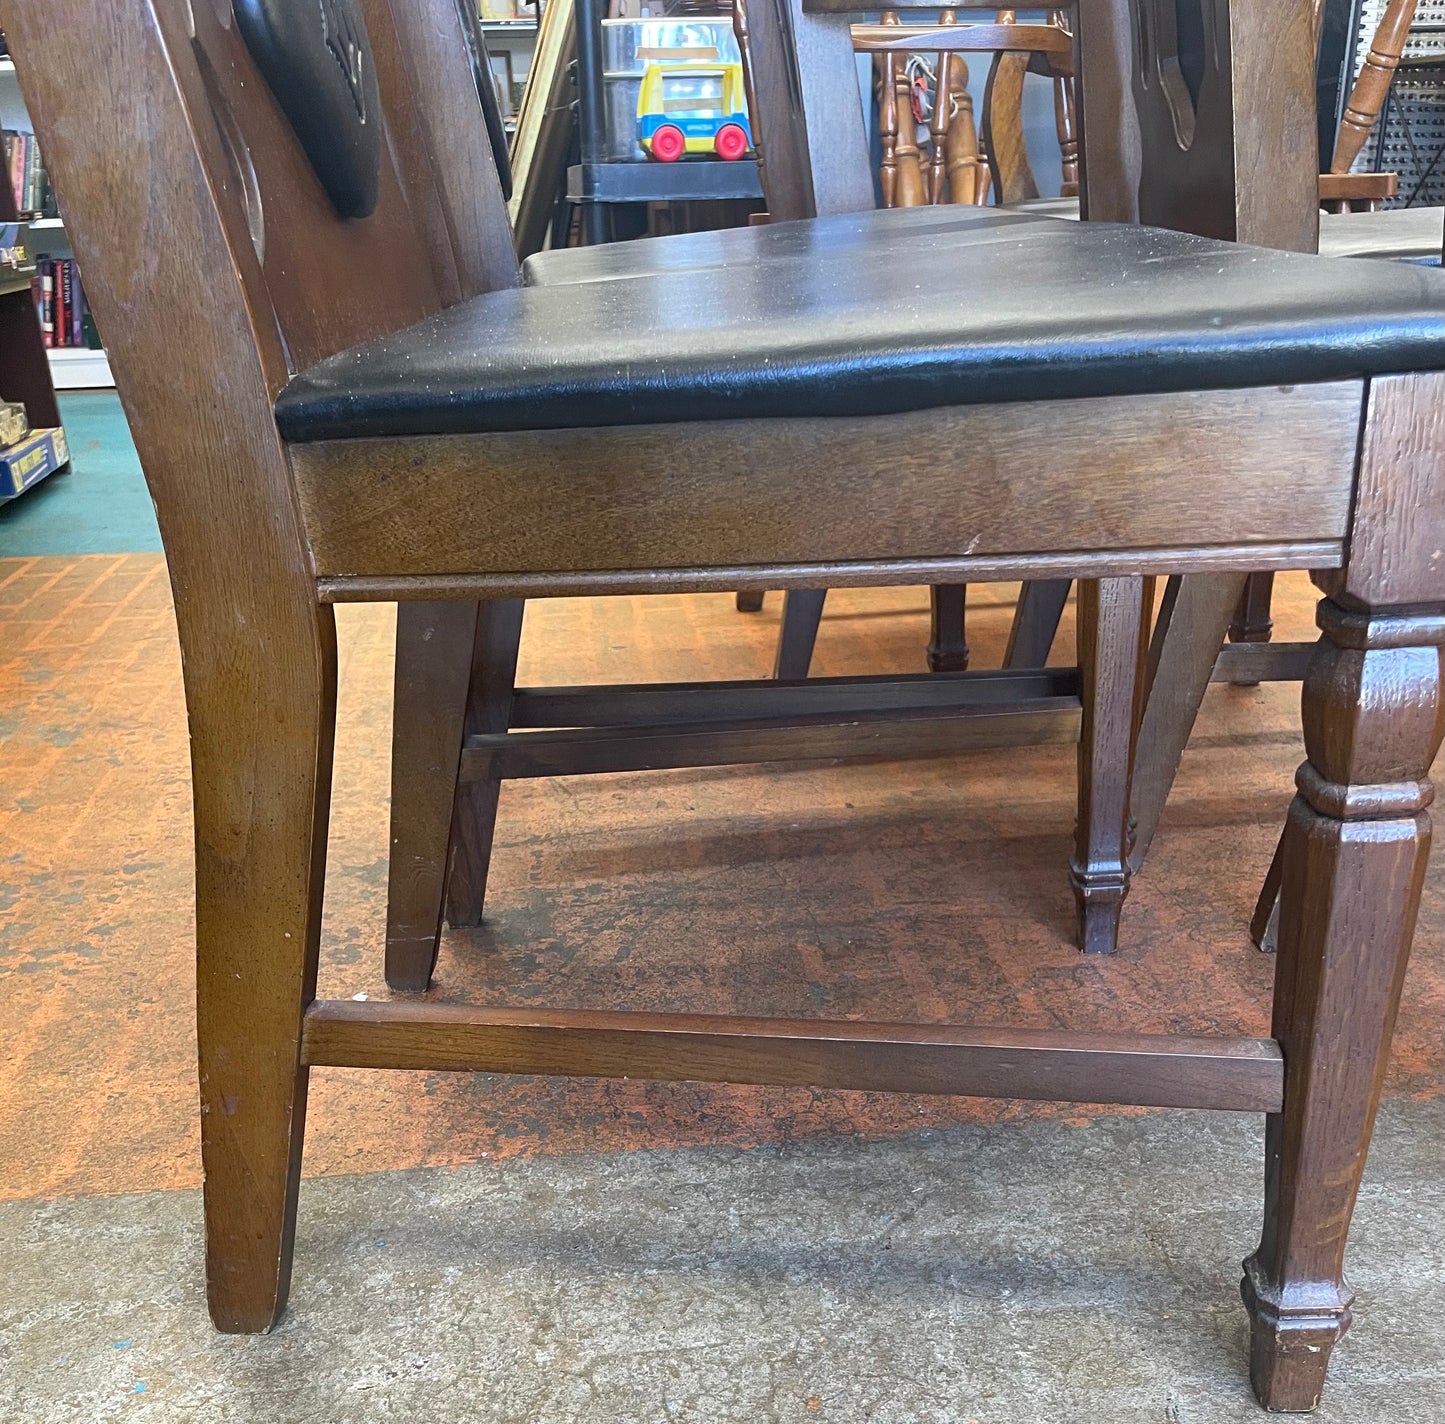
434,651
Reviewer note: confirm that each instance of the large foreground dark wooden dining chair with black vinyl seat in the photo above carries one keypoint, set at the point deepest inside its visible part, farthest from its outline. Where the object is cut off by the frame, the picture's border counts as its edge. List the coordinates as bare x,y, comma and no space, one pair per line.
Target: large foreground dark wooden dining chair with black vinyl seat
316,436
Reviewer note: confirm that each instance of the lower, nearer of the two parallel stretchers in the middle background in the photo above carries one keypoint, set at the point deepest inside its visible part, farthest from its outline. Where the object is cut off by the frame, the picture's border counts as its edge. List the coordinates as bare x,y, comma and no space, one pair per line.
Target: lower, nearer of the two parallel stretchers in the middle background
816,737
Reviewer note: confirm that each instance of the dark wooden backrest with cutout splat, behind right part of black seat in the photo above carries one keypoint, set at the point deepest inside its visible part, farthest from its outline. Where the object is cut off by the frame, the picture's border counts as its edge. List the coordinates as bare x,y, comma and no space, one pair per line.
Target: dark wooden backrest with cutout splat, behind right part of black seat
1206,126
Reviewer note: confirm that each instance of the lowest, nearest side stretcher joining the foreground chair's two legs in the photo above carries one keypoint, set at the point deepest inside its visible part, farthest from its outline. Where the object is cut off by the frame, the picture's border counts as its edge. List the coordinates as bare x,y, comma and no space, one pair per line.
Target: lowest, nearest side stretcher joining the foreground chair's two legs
1241,1075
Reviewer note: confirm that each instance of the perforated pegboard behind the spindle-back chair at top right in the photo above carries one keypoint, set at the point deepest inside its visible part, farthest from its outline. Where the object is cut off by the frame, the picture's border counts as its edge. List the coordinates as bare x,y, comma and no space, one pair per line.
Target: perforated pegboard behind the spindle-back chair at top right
1410,138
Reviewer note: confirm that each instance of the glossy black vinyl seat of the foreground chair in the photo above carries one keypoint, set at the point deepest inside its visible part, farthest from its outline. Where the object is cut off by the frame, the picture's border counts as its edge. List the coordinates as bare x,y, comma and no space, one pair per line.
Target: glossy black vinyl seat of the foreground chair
872,314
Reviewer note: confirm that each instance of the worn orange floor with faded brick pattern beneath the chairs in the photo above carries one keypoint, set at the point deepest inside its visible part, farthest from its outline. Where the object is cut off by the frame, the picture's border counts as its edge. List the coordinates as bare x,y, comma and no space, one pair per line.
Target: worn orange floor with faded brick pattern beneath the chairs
931,890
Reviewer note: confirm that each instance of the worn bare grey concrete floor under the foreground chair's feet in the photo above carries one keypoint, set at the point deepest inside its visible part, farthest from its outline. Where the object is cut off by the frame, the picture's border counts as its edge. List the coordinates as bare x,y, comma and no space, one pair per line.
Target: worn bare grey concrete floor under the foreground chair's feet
1008,1274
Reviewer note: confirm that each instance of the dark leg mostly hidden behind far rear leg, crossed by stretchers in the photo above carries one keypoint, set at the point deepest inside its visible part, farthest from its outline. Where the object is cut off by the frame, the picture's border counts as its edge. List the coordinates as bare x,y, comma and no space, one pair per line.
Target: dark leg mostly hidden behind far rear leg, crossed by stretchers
489,709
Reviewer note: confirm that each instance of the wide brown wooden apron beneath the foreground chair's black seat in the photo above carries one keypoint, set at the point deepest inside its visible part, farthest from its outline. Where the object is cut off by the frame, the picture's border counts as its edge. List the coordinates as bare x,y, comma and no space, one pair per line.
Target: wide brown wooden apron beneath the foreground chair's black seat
1177,471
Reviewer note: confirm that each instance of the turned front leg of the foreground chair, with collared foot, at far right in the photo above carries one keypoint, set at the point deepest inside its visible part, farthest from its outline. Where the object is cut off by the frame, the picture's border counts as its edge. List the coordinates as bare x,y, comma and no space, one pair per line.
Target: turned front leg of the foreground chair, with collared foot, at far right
1353,867
